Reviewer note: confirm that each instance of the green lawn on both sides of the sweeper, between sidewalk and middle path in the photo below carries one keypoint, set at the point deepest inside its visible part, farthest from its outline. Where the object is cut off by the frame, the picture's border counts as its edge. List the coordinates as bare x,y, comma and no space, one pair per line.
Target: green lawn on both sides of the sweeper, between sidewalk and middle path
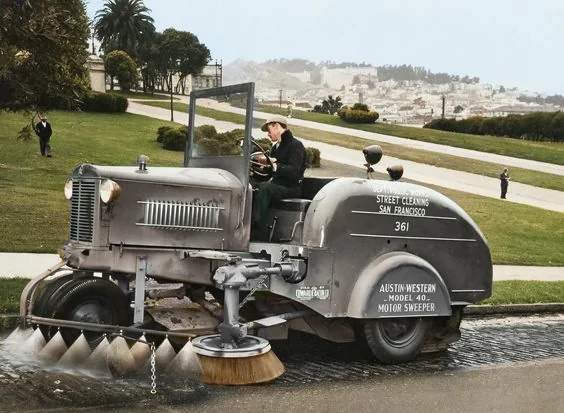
35,213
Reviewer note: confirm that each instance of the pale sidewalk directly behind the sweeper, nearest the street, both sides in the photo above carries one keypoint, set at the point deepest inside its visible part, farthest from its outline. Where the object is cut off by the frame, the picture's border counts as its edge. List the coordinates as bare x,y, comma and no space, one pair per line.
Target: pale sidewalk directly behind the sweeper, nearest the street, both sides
28,265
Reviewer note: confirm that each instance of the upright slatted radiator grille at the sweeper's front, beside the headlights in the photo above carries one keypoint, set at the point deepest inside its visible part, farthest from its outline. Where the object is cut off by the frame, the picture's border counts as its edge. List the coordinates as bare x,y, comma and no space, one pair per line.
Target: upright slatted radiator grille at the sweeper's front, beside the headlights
82,210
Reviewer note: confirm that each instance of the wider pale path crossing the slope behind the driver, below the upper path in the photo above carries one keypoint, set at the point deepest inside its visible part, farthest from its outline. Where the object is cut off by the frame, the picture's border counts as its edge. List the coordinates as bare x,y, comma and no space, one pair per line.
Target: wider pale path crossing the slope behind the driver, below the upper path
448,178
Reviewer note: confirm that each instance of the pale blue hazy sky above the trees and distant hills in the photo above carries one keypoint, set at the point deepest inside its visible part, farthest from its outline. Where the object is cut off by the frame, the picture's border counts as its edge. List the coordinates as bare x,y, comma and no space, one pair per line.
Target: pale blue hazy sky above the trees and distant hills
514,43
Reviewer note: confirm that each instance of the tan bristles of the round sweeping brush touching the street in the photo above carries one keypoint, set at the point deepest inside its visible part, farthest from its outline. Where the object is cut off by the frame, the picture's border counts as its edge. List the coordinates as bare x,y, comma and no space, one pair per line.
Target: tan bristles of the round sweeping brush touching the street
247,370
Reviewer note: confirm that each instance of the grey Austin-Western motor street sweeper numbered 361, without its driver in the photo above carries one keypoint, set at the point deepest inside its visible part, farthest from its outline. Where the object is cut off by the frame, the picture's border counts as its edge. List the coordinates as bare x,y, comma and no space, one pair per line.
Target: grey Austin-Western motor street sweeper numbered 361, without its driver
162,258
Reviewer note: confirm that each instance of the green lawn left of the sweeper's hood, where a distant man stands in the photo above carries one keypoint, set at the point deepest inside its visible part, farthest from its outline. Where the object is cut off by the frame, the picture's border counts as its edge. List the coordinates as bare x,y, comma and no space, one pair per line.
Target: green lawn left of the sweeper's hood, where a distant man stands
34,211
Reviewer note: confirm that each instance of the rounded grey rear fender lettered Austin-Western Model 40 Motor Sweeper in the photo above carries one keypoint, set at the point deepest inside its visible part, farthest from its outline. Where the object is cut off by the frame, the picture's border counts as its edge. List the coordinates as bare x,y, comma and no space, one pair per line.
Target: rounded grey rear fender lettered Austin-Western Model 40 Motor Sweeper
399,284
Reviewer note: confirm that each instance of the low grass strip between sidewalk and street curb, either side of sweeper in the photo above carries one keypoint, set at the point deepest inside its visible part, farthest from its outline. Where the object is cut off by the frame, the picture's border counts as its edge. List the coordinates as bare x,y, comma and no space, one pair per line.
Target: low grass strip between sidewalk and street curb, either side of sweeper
504,292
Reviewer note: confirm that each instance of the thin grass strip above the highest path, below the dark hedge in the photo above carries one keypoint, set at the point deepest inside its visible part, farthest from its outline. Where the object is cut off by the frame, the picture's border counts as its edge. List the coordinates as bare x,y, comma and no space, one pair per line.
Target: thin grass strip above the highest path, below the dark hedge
538,151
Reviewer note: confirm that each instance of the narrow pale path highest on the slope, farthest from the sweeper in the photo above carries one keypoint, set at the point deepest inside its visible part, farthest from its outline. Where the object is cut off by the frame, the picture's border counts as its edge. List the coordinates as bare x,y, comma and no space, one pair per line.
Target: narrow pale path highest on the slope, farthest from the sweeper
410,143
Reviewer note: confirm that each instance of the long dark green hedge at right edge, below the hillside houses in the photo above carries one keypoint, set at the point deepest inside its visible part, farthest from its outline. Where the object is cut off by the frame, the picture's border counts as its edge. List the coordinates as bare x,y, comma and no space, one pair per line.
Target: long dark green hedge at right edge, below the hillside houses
539,126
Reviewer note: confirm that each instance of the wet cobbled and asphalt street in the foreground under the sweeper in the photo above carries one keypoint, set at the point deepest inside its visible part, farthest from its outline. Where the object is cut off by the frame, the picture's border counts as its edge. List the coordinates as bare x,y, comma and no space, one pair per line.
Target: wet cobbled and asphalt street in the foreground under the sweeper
513,364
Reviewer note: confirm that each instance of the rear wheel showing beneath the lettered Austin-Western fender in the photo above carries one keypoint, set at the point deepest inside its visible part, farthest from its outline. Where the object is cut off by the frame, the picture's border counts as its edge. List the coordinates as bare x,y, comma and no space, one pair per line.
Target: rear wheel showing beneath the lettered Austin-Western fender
395,340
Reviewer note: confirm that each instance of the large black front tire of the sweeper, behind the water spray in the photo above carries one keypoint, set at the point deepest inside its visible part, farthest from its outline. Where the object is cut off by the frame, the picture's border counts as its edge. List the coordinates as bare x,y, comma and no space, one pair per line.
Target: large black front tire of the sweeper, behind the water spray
92,300
